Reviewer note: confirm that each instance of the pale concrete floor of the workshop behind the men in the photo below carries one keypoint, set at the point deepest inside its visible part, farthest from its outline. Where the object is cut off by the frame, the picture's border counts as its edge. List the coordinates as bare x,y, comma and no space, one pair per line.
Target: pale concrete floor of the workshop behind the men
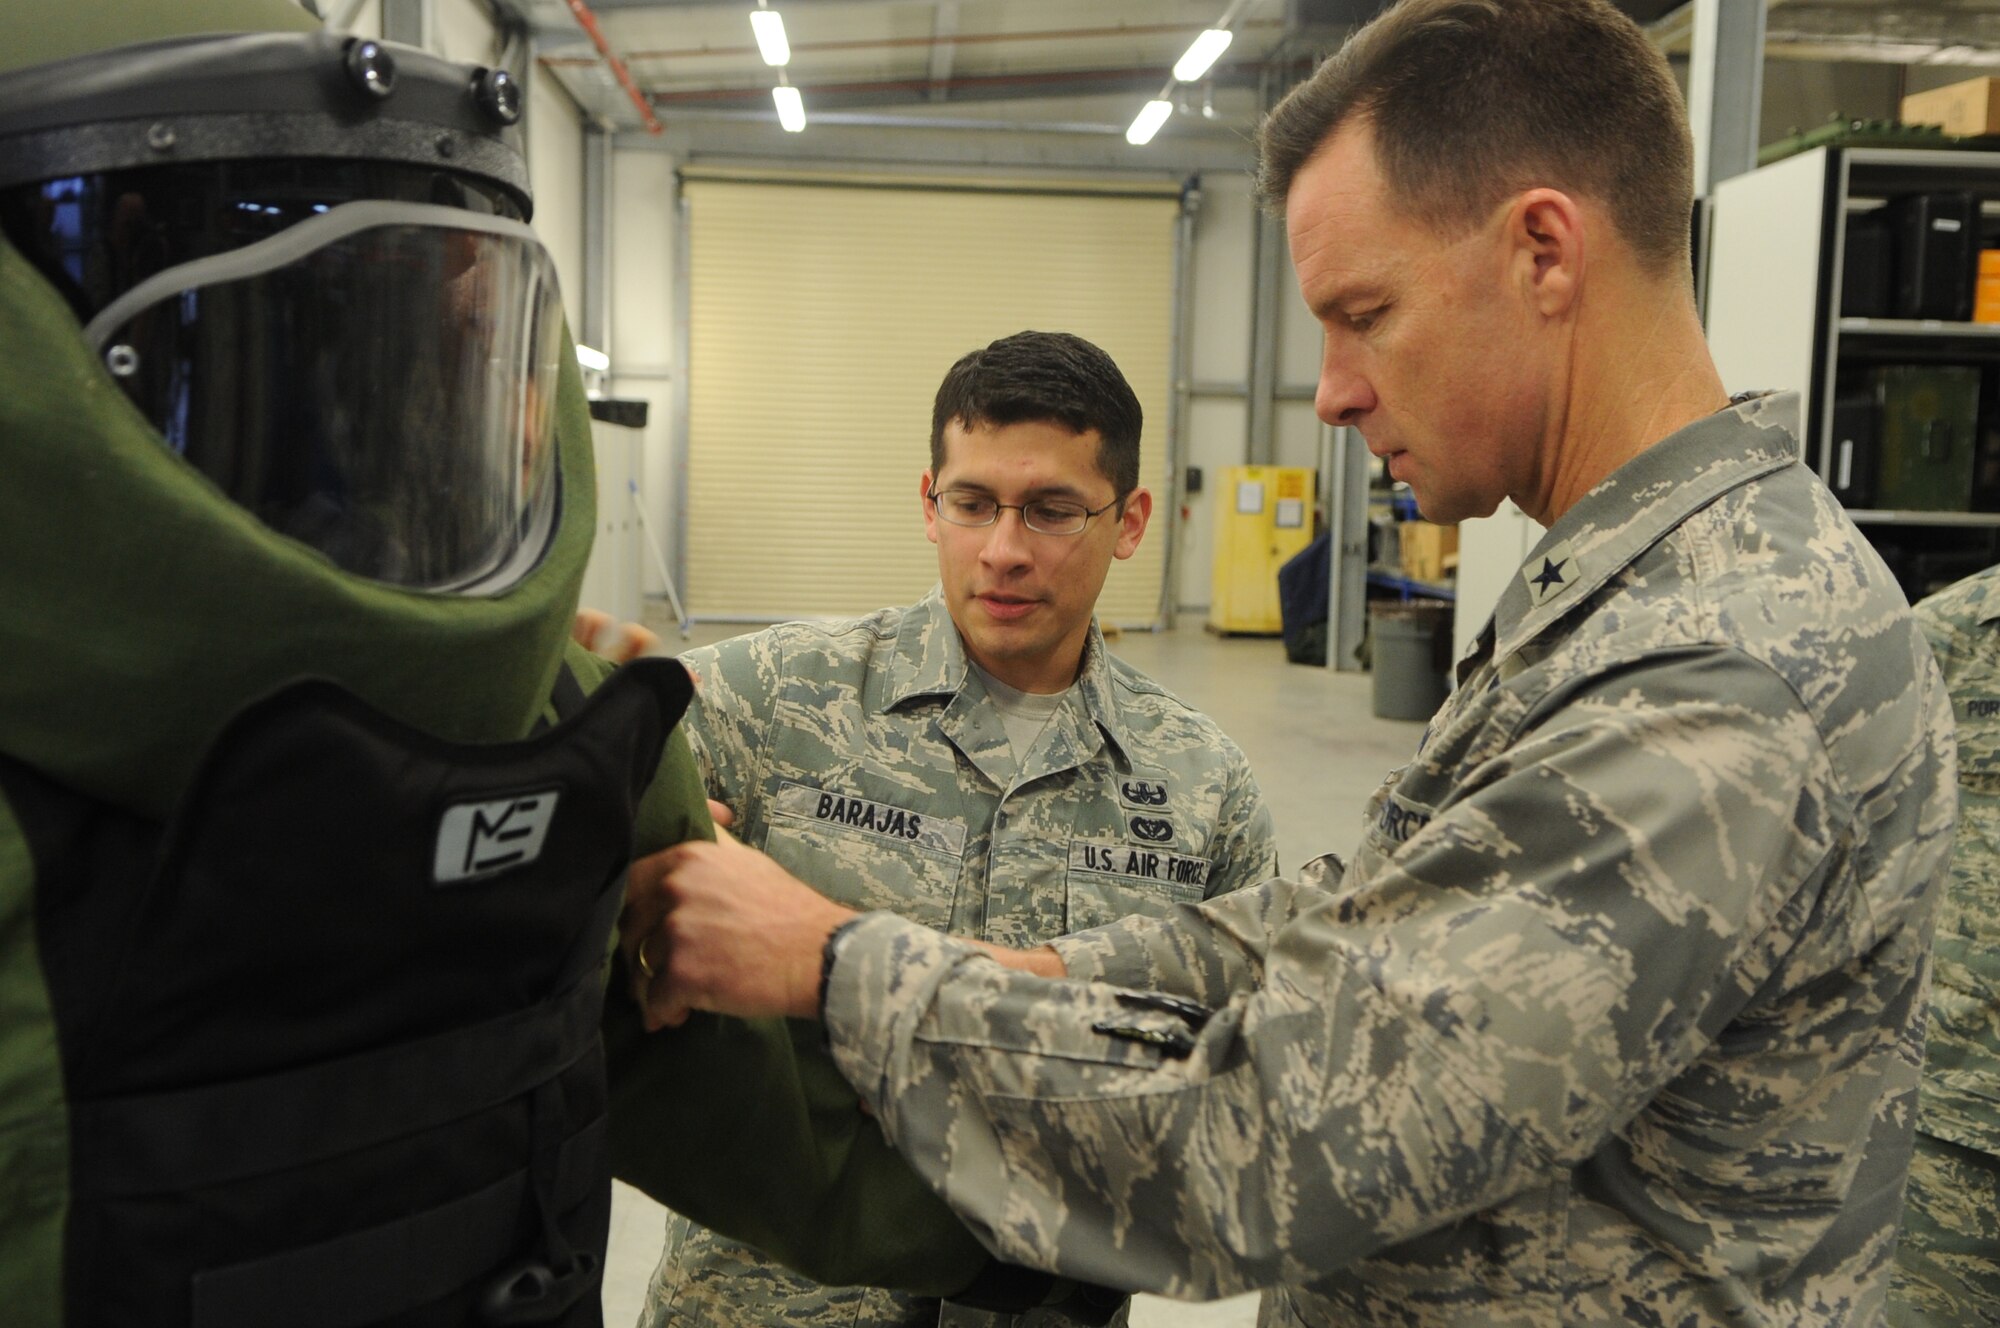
1317,751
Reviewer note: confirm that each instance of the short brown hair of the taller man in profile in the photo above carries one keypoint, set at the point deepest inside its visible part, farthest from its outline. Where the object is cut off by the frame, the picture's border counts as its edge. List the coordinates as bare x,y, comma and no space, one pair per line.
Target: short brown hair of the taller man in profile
1473,101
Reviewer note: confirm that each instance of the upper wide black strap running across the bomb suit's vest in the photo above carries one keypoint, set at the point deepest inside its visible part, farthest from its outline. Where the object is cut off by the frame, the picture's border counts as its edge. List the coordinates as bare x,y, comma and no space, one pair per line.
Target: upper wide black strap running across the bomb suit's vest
199,1137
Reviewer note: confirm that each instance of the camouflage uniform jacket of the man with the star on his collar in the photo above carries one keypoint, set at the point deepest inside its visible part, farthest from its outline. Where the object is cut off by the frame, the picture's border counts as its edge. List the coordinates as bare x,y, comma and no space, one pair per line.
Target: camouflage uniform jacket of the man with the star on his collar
1613,1021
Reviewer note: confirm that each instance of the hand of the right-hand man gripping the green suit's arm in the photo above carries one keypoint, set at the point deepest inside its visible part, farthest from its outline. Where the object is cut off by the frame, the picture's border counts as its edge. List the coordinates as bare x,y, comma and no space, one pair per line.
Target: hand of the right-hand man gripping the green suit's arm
721,927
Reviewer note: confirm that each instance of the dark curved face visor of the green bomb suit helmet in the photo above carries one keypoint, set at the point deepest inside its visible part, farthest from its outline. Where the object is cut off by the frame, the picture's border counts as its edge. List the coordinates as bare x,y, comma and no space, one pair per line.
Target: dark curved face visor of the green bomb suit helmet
377,383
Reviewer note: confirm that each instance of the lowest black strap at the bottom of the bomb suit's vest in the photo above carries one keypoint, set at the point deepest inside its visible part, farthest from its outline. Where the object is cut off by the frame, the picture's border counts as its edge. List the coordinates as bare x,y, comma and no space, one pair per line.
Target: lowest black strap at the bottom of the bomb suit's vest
371,1275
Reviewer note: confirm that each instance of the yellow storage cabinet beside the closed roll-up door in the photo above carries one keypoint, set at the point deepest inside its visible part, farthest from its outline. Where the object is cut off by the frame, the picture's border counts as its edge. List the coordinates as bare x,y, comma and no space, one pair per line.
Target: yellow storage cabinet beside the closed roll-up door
1263,517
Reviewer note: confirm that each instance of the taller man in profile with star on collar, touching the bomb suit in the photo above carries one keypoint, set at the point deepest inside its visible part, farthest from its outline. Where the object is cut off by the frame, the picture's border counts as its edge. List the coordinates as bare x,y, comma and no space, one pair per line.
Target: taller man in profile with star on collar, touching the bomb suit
1617,1015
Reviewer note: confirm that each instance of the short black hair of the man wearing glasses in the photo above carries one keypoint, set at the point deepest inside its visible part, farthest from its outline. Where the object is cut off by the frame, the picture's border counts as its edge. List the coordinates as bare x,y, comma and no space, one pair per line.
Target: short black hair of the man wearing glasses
1035,377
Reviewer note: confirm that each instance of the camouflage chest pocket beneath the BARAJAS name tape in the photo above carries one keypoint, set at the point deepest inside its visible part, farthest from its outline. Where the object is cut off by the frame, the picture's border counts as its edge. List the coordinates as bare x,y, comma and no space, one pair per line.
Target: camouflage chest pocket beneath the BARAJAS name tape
869,855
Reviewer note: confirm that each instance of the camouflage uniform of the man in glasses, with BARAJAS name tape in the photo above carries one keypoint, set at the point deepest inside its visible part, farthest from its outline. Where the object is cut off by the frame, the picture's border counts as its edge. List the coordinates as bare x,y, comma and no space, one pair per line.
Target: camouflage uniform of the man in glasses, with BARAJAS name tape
867,759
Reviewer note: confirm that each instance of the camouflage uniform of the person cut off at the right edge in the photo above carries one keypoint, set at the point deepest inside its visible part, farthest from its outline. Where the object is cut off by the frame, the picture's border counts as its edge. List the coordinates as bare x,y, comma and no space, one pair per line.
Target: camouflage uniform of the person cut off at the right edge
1949,1257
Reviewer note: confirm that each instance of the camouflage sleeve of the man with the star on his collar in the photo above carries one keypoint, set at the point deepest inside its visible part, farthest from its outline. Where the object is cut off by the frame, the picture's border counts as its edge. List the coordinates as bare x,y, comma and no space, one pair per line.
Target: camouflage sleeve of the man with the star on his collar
1473,1013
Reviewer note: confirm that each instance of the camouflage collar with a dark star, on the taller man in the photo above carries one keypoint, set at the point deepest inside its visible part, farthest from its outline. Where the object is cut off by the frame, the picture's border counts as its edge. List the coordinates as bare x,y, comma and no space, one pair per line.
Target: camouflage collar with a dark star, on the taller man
1637,505
